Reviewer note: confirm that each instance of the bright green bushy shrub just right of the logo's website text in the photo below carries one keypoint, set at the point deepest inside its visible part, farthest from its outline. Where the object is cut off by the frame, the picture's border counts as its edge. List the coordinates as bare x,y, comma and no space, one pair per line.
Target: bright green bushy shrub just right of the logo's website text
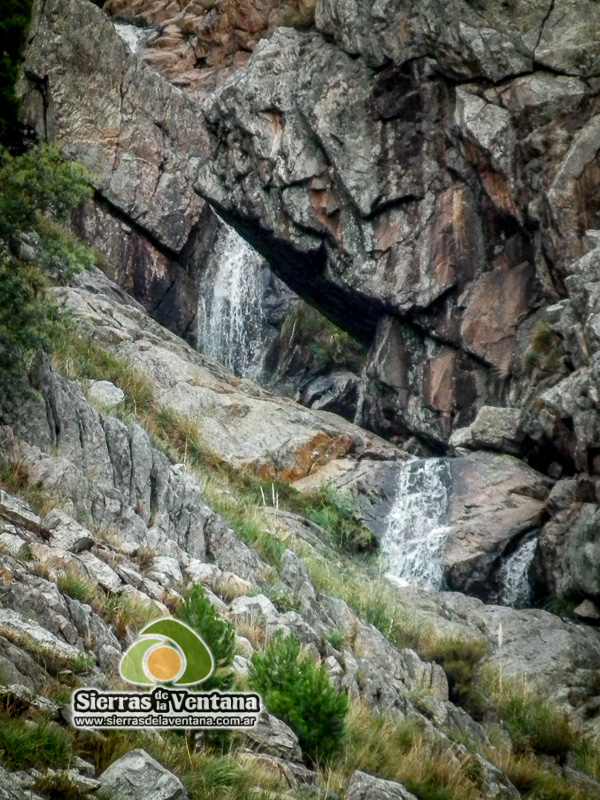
301,693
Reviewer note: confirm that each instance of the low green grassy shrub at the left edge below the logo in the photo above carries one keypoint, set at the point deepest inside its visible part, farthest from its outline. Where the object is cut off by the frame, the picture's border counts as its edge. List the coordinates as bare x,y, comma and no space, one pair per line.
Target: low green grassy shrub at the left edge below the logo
24,745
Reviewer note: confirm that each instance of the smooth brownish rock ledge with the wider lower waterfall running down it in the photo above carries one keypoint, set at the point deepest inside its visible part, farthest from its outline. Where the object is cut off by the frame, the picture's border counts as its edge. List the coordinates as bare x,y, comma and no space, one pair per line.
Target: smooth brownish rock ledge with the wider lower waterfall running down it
446,522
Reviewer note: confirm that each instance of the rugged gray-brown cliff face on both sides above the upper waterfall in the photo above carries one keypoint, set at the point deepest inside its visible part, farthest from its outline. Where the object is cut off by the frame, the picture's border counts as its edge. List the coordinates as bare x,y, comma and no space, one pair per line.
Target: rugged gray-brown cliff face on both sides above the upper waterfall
426,185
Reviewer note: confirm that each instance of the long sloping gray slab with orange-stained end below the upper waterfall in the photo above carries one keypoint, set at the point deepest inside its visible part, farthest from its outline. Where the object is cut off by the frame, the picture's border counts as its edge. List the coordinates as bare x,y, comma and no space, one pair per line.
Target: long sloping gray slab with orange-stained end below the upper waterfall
230,413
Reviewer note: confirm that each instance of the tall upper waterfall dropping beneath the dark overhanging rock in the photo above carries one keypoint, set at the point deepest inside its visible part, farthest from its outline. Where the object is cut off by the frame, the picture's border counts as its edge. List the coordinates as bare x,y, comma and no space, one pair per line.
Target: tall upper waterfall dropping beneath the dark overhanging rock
231,321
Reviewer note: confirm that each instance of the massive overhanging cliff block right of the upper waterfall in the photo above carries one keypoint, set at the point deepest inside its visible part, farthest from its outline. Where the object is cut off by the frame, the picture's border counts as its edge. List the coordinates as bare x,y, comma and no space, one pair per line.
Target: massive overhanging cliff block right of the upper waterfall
435,203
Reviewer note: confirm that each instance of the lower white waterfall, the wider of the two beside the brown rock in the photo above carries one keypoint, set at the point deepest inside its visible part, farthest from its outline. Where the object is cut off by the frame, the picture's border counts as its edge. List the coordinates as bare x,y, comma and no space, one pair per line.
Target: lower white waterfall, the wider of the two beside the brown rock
413,543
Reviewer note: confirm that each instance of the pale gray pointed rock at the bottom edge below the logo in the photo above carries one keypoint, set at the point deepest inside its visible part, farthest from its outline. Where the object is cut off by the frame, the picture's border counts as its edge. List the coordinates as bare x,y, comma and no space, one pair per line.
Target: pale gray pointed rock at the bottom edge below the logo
138,776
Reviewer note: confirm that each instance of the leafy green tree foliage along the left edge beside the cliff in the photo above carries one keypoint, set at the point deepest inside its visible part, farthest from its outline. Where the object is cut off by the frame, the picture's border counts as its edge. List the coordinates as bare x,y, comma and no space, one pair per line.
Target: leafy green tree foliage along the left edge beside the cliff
37,190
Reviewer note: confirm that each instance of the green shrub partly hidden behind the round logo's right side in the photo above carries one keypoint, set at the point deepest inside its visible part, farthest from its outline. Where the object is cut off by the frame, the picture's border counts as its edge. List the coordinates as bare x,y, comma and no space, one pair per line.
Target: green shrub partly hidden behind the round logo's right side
200,614
